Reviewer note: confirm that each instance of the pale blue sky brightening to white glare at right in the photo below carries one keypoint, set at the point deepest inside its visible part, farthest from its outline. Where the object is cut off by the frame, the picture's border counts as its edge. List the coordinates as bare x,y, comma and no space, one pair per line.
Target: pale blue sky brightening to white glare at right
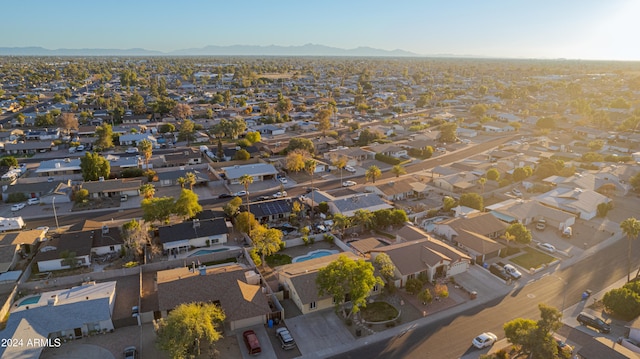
583,29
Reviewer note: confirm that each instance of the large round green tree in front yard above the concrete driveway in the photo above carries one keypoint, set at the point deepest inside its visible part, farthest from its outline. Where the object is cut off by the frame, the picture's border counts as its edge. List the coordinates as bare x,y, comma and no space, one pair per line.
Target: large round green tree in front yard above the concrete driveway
347,276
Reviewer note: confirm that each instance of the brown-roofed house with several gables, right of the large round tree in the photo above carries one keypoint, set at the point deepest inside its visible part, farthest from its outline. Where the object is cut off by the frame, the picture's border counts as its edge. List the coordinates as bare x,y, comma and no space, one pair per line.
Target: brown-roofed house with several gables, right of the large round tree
423,257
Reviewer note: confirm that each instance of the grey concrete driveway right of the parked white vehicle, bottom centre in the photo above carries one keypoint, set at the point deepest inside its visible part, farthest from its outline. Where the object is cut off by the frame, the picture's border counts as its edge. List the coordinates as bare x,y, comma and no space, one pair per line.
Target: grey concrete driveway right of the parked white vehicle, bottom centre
318,331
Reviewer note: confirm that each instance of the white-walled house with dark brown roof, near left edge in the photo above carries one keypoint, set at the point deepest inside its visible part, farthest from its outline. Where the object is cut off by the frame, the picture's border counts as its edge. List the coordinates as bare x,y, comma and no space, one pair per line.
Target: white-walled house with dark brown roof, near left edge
56,253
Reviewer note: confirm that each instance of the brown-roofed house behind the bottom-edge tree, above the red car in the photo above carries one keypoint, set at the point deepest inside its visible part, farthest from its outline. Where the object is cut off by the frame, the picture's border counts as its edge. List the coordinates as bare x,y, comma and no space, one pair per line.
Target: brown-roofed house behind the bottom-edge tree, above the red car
243,303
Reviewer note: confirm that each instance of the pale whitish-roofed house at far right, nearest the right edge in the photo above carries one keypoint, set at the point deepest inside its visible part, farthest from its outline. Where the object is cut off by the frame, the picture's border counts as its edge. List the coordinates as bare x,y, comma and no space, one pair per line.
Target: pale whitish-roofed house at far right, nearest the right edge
580,202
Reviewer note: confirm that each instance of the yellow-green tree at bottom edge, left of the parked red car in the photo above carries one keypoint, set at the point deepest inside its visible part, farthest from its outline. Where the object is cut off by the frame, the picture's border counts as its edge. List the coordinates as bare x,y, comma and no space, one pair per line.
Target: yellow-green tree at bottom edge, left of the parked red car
188,327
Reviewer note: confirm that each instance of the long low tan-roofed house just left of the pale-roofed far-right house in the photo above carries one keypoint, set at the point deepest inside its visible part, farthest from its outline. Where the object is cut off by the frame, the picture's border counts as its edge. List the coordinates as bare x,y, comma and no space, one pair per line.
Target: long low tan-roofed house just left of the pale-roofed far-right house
529,212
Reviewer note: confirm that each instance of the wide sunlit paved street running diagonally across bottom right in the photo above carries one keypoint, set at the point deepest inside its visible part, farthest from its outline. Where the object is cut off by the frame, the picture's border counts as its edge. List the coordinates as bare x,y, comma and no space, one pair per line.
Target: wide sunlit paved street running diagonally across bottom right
450,337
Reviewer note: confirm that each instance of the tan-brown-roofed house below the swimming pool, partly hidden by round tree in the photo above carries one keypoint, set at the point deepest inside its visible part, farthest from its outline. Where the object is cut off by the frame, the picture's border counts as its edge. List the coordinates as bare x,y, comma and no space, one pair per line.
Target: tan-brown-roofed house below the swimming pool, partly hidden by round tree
299,282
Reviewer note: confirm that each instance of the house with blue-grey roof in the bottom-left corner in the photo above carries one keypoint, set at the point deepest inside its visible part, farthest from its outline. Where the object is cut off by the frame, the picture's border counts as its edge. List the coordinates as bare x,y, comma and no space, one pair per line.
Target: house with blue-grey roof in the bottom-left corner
59,315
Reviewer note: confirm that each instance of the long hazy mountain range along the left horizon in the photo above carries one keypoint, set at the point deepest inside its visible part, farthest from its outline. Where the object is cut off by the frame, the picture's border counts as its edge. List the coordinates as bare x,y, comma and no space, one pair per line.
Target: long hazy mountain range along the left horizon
233,50
